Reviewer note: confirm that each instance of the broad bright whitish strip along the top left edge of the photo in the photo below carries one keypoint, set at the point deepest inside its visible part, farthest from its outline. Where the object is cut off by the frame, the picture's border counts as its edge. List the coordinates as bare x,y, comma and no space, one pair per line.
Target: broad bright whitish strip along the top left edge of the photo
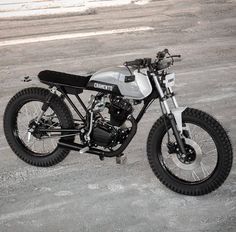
31,8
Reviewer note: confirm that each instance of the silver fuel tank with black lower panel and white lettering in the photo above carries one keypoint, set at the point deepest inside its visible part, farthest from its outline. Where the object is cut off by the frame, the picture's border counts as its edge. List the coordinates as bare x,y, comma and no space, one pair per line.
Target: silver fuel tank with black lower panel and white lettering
131,84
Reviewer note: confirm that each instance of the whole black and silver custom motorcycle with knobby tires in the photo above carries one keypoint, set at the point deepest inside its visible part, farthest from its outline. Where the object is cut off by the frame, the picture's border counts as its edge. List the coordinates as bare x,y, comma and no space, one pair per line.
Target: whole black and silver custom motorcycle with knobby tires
188,150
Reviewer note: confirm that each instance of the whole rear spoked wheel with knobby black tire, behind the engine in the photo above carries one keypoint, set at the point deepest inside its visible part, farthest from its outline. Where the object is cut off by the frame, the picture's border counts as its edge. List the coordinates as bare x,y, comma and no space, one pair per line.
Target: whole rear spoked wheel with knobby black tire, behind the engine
35,146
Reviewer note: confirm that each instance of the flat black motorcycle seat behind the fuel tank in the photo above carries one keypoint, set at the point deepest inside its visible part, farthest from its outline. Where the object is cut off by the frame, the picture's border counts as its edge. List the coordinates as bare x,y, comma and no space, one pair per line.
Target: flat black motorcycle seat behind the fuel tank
64,79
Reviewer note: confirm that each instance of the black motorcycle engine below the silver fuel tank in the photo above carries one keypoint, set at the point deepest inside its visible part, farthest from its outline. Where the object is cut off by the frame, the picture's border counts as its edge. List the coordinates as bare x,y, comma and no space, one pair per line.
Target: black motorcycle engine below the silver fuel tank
110,131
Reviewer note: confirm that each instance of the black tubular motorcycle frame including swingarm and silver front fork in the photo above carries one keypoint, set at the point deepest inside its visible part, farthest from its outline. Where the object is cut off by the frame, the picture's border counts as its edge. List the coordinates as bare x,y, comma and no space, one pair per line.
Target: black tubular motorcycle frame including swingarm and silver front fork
157,92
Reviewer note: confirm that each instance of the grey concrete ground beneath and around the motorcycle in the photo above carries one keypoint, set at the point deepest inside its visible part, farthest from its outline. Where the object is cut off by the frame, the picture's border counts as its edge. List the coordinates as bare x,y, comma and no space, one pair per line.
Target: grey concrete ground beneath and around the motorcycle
84,194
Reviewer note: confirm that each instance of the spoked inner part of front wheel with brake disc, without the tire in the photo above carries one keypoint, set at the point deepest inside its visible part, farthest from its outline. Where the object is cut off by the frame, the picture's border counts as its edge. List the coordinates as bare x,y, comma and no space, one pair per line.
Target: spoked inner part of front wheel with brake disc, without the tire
200,160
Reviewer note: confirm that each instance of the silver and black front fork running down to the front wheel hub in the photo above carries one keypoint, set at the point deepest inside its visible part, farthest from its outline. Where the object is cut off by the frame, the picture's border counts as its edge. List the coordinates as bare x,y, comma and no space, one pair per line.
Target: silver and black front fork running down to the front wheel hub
174,115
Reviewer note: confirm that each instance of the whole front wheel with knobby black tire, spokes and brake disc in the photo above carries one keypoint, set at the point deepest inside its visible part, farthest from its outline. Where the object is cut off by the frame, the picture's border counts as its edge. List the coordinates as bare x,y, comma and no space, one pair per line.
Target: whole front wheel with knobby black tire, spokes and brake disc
209,154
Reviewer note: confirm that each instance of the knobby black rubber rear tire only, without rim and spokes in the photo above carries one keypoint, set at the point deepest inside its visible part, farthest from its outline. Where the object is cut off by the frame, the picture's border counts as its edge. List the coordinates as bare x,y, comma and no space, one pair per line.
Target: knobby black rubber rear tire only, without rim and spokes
10,120
